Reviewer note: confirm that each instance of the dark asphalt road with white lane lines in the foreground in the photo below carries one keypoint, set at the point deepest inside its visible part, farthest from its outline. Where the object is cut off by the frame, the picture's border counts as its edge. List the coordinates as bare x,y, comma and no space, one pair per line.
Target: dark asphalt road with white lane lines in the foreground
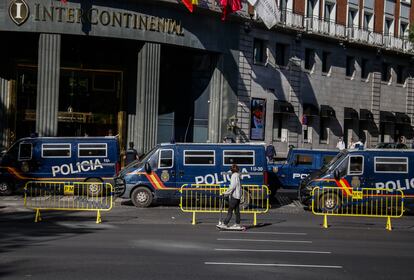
160,243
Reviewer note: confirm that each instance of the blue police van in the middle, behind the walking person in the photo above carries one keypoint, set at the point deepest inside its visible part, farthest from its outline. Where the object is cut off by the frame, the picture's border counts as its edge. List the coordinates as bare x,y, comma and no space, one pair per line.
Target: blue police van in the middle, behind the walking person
159,175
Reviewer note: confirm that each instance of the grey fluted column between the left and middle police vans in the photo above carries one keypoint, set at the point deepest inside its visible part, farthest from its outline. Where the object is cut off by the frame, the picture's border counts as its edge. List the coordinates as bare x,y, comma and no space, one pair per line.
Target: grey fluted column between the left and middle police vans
142,127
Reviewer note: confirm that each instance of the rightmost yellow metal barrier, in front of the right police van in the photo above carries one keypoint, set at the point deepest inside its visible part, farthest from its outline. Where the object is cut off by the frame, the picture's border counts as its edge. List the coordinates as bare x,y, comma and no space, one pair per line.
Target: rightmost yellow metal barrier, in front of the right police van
364,202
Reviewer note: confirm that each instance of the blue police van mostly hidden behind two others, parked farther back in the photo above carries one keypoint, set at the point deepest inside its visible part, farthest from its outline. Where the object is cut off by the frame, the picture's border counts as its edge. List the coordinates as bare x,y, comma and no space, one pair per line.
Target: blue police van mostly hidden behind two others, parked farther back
286,177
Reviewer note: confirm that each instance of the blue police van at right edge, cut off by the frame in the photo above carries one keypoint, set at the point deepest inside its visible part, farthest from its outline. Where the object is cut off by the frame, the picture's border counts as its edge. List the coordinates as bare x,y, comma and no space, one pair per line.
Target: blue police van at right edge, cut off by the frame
365,168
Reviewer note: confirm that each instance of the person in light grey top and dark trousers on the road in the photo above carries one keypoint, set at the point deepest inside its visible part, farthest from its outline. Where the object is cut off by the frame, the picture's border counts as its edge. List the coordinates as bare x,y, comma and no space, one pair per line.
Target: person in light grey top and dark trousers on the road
234,193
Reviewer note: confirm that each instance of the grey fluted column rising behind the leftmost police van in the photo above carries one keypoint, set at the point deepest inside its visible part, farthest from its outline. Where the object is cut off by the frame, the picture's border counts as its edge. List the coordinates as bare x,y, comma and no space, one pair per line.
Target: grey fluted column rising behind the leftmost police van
48,84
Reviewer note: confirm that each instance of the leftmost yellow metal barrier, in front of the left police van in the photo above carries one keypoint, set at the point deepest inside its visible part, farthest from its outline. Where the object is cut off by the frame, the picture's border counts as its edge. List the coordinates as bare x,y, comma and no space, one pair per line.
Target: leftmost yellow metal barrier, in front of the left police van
68,196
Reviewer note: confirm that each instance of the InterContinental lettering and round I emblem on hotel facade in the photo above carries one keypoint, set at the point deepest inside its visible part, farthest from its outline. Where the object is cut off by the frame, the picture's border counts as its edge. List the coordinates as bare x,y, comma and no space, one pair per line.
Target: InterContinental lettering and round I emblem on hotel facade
20,12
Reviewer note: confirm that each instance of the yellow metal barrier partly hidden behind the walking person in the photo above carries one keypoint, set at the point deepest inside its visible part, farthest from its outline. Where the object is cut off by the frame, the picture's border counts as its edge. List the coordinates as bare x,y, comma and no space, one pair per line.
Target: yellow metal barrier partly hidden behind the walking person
205,198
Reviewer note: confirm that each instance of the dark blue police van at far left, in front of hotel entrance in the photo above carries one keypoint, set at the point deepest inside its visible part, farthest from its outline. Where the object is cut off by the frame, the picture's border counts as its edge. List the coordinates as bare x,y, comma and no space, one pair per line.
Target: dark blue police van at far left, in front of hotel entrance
89,159
